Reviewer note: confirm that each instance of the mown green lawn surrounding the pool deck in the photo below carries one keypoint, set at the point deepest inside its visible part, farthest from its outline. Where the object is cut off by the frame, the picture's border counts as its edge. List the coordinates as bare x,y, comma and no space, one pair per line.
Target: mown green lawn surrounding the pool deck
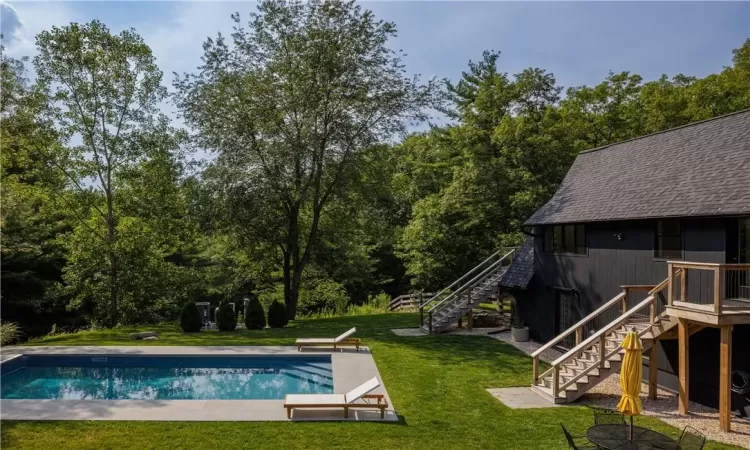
437,385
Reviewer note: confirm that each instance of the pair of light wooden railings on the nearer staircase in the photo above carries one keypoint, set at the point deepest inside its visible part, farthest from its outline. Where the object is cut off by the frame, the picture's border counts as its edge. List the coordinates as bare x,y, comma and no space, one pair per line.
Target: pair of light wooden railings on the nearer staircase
598,338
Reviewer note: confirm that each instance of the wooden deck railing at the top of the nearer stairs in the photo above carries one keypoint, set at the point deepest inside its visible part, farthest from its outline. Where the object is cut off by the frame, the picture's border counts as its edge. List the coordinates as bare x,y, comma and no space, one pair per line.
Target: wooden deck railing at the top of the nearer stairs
709,287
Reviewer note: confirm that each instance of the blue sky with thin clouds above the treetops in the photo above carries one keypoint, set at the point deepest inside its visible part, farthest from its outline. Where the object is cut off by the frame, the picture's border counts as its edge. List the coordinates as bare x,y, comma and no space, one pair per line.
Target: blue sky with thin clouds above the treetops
580,42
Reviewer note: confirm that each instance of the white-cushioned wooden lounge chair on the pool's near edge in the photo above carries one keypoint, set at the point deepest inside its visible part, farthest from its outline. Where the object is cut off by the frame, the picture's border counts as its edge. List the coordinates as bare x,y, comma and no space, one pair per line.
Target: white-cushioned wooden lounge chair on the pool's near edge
346,401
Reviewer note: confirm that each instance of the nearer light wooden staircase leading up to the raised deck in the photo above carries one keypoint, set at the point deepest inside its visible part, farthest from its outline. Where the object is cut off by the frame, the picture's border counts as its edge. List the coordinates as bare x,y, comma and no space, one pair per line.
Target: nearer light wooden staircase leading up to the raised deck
598,356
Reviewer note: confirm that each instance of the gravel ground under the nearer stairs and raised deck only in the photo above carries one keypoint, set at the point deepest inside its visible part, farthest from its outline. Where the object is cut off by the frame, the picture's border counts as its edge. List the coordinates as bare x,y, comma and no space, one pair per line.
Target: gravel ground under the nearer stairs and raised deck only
704,419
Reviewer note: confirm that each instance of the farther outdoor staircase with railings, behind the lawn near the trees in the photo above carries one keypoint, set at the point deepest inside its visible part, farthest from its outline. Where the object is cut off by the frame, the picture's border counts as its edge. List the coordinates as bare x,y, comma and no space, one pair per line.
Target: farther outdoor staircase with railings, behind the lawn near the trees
460,297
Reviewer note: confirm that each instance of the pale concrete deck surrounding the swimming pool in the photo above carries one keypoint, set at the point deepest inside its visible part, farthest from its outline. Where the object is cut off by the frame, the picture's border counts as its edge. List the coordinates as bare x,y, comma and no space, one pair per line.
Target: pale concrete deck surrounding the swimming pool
350,369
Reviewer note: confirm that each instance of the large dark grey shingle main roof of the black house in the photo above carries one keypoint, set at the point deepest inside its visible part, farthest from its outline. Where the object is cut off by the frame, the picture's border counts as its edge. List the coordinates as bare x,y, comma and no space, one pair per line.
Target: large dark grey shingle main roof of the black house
701,169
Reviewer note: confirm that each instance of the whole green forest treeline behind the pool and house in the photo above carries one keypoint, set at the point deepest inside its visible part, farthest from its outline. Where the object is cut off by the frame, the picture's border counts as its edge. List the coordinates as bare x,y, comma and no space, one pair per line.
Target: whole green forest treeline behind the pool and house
314,193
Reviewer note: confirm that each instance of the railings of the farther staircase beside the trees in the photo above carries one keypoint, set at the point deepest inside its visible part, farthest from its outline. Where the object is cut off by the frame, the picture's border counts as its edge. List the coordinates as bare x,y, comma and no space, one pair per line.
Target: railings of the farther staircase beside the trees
486,268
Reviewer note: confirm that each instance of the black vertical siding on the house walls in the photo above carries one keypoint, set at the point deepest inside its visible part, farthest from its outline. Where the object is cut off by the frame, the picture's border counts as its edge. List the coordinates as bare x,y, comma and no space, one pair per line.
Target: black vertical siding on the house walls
612,262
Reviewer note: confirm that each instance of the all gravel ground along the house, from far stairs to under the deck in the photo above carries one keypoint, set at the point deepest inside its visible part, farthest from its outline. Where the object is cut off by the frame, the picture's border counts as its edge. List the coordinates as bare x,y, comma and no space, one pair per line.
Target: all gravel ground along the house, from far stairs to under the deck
607,393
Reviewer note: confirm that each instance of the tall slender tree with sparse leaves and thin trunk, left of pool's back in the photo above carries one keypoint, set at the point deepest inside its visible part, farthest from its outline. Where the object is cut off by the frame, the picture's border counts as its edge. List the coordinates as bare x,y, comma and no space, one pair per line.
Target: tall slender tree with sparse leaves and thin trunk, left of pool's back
103,91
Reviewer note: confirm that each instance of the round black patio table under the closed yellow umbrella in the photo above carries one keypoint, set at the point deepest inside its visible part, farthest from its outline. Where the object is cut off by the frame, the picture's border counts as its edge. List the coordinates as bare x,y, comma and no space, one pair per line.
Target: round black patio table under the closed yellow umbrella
617,437
